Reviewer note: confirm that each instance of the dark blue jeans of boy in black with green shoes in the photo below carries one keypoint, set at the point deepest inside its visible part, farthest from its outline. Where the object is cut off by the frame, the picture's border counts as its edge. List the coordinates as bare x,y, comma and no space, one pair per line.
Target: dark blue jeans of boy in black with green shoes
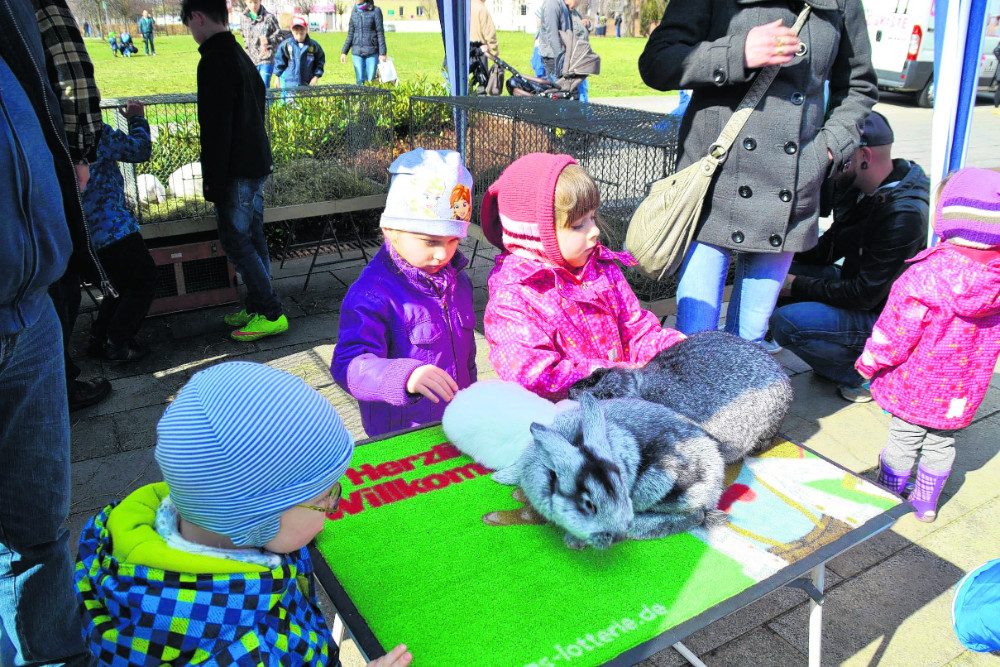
241,232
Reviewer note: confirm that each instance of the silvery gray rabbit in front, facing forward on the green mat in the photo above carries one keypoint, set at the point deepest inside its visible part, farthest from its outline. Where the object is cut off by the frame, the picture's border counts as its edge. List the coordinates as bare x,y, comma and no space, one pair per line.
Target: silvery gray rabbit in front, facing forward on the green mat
617,469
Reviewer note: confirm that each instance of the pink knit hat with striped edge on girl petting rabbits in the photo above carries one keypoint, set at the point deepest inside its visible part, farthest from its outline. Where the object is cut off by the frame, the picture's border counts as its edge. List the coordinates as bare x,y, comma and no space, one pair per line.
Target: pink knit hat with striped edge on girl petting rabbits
518,211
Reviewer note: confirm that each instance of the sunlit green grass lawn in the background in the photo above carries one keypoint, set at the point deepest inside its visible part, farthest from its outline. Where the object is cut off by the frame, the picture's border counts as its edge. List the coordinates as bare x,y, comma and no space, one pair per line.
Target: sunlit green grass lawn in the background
414,54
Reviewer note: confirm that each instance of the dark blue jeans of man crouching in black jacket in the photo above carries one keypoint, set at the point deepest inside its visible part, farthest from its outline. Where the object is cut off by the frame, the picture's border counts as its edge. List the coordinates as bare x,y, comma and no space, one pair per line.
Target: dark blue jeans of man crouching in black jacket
827,338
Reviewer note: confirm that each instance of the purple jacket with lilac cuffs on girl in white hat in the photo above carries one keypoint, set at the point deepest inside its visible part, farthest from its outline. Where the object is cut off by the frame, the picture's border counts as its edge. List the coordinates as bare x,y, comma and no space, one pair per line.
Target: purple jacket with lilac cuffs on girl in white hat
393,320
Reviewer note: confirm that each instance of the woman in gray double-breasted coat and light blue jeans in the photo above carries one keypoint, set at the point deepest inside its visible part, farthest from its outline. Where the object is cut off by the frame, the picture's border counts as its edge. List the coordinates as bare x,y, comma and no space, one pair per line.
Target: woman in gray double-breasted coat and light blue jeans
764,202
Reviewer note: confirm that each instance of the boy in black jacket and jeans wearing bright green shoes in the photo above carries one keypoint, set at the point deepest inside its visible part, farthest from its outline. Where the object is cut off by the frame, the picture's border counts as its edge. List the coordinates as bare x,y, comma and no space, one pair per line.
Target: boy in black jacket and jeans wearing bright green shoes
235,162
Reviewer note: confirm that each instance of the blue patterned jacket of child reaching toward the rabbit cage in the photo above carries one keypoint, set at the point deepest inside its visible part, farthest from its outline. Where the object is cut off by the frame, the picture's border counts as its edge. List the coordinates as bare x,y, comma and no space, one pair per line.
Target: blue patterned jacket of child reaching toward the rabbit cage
108,213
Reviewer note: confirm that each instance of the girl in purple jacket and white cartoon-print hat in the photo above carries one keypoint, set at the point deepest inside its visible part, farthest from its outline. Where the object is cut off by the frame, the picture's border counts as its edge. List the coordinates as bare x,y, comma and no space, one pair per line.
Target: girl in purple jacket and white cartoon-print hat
406,341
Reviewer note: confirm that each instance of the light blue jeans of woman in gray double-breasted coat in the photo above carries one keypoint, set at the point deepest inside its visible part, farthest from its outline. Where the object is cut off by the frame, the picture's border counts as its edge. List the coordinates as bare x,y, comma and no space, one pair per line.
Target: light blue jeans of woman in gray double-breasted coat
759,277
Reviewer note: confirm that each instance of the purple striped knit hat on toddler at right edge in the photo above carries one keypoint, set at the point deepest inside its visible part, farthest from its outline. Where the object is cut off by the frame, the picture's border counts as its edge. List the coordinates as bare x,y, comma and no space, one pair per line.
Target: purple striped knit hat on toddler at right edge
968,208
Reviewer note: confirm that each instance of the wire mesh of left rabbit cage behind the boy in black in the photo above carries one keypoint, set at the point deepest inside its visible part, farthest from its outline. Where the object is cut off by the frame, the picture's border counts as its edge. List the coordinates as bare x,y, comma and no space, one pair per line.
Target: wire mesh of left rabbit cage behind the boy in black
329,143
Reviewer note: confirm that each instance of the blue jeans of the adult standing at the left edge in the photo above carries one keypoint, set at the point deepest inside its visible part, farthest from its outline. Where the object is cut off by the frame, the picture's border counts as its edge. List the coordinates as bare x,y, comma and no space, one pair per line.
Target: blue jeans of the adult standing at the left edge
39,617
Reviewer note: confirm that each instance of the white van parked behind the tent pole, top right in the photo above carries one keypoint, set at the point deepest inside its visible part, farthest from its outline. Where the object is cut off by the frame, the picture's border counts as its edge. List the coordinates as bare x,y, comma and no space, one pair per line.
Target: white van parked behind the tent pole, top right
902,38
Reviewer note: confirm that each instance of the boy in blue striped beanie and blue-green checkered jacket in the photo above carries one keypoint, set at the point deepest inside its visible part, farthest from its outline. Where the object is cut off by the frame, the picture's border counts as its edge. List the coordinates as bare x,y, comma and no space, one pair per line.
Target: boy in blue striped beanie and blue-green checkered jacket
212,563
